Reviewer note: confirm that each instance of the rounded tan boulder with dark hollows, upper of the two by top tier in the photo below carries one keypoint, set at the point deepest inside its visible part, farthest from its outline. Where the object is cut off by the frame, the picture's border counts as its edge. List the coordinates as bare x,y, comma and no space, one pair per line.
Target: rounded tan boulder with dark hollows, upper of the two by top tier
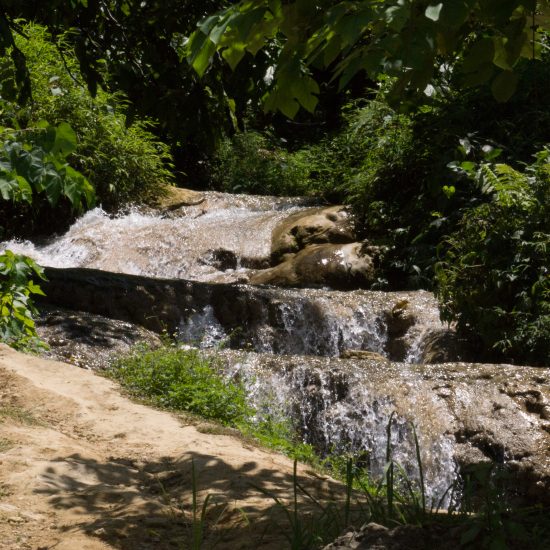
315,226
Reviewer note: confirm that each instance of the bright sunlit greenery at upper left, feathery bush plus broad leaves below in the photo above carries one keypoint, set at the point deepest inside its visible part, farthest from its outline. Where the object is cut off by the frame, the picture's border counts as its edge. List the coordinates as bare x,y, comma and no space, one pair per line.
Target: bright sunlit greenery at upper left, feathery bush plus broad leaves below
95,157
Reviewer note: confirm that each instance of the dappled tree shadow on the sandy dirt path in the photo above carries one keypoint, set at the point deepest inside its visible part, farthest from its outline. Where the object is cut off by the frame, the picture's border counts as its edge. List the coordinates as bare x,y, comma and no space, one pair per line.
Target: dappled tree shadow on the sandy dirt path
135,505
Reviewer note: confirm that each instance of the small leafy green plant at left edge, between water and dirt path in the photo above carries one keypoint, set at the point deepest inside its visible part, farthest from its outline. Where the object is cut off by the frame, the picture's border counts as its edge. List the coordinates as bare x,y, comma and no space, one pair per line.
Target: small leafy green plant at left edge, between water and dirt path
16,306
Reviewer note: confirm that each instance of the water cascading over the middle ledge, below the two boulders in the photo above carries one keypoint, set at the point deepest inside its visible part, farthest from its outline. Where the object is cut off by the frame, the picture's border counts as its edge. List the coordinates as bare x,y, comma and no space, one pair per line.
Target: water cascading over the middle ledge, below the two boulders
315,322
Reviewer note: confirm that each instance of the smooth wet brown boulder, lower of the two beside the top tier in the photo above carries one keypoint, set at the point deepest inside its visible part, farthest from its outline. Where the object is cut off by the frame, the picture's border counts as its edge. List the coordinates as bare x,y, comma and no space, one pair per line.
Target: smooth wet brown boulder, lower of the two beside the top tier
340,266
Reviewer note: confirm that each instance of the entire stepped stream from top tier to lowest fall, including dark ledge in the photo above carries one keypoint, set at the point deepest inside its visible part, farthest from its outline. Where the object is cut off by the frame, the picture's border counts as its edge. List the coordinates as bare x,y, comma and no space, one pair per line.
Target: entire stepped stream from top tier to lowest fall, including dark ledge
338,362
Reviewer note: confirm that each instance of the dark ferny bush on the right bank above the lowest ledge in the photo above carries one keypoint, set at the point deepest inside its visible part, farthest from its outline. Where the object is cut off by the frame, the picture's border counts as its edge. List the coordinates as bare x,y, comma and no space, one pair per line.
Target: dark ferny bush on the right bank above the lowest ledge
493,279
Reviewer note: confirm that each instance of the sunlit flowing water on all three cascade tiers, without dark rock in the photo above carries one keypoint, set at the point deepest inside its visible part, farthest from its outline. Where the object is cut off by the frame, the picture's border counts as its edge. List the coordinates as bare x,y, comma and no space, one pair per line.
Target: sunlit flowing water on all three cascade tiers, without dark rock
223,240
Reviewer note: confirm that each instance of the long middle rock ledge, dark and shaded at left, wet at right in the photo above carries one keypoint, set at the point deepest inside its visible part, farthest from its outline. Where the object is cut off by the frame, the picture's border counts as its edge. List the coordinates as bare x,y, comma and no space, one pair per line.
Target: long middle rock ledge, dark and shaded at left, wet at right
308,321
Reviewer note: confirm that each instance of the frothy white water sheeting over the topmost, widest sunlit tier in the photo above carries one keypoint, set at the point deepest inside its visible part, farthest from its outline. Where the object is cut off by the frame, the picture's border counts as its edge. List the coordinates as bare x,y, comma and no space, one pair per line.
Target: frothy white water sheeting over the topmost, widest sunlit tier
181,247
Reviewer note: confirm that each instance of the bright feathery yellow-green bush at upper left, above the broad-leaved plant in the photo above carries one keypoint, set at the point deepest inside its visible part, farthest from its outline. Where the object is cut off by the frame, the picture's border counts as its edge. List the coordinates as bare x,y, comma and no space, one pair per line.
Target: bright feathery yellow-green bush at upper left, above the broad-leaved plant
123,161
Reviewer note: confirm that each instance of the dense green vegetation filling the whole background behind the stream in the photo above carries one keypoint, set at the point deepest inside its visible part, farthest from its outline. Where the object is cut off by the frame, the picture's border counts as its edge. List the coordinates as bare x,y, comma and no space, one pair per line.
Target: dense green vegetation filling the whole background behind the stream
412,150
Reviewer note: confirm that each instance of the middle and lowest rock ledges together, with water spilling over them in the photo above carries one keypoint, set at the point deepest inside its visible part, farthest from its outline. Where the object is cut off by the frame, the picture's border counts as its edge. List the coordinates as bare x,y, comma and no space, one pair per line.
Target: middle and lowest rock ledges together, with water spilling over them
467,415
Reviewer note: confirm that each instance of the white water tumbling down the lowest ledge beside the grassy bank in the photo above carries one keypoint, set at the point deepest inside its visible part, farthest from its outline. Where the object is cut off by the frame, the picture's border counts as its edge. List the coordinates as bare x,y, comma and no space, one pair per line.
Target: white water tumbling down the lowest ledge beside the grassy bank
344,412
